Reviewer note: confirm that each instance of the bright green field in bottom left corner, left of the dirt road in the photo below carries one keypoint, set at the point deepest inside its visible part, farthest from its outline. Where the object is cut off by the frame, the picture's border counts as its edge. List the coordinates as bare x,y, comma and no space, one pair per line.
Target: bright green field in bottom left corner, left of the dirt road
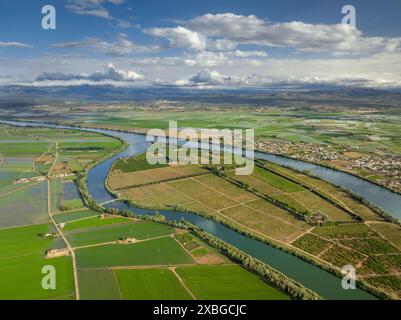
21,261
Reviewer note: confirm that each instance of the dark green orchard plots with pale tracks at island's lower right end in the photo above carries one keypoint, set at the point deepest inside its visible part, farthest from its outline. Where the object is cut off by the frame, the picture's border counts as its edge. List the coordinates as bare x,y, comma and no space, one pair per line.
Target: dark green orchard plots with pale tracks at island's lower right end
377,261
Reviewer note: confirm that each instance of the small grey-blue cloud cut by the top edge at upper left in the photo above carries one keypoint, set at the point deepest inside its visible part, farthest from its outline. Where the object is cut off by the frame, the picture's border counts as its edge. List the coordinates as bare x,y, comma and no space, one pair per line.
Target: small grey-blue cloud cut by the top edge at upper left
91,7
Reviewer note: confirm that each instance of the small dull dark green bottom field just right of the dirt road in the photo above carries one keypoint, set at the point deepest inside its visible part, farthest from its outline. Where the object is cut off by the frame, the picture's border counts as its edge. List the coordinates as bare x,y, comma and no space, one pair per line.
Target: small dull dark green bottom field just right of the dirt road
98,284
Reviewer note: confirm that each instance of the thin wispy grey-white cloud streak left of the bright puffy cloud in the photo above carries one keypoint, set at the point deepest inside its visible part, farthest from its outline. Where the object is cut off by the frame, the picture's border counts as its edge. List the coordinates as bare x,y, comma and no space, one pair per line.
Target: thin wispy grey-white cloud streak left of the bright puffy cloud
122,46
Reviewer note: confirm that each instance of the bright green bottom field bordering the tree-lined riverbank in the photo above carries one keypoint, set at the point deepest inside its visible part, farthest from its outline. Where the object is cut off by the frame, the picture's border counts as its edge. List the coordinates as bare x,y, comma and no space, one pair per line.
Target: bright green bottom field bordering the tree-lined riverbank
227,282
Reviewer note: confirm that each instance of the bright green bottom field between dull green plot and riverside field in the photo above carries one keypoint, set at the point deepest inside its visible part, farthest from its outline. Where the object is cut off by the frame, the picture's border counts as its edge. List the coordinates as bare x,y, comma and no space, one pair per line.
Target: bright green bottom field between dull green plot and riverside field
150,284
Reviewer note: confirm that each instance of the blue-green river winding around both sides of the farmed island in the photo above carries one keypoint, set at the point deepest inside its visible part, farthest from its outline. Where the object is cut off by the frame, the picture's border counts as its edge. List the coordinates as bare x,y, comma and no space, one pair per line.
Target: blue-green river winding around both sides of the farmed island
322,282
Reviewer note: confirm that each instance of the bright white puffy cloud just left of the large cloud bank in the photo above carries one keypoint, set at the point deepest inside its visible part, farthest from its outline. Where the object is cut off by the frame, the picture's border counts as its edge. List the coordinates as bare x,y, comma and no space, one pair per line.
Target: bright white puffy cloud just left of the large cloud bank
179,37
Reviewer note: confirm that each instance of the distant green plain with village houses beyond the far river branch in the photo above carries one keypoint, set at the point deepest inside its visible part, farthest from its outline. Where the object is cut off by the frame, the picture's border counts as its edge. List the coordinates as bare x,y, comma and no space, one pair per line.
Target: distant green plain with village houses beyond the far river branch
347,134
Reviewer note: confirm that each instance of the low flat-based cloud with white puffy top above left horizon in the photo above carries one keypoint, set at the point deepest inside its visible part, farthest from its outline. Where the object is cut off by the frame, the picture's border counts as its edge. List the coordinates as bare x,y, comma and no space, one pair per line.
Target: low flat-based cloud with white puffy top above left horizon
110,73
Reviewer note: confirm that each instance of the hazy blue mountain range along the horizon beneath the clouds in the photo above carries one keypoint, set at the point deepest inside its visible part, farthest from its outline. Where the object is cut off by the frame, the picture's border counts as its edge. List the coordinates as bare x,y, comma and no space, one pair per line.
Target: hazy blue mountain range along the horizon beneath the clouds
254,96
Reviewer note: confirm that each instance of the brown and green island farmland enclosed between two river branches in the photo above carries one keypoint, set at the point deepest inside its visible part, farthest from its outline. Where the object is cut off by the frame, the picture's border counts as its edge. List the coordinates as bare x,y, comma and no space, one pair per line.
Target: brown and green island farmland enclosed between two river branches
288,208
